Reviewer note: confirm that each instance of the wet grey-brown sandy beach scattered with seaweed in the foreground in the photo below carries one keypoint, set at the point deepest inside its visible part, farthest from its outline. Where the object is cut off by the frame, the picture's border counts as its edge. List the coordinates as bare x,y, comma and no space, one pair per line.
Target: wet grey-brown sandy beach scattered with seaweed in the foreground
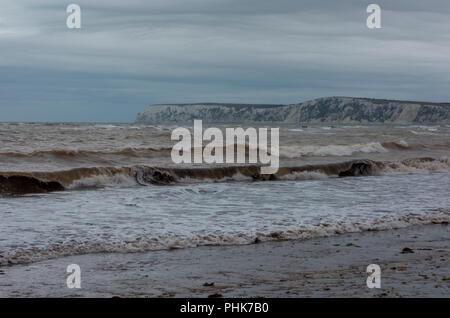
321,267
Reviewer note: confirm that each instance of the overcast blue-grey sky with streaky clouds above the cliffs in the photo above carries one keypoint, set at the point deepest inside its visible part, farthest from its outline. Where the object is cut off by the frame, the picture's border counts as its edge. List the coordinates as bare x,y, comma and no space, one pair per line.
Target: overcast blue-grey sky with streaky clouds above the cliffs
130,54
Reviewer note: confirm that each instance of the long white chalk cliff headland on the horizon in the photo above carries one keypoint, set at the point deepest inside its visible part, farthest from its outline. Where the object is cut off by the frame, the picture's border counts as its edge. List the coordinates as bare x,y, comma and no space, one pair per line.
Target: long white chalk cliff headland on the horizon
327,110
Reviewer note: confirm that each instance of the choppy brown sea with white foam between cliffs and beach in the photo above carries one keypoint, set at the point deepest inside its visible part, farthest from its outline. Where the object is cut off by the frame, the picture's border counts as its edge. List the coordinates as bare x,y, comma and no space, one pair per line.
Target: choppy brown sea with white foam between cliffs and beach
109,203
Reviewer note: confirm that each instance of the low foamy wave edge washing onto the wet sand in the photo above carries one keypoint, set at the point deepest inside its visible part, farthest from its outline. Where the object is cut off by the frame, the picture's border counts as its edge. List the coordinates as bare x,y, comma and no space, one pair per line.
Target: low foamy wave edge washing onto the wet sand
168,242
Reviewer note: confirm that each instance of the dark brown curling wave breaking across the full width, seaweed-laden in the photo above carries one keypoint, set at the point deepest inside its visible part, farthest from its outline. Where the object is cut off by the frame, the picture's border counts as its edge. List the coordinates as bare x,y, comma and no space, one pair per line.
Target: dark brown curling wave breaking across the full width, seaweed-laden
35,182
